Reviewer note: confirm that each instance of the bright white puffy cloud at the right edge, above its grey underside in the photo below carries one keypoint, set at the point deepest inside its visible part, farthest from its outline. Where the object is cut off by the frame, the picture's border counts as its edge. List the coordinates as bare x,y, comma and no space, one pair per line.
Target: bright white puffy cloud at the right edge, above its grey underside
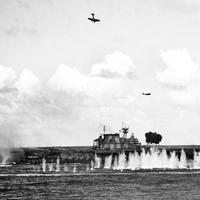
180,68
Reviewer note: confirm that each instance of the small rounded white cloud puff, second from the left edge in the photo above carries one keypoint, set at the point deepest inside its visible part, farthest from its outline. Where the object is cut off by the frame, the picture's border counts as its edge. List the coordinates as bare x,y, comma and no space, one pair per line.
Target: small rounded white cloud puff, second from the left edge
27,83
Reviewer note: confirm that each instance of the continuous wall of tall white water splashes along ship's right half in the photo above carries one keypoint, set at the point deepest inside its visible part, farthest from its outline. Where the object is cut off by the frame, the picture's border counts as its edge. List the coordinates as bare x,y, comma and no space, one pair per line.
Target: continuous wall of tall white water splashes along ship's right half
152,159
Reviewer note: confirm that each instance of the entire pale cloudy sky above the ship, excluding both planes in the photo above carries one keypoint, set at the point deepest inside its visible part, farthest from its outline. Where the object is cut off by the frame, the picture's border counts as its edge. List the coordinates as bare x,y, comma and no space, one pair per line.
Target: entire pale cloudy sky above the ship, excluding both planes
62,77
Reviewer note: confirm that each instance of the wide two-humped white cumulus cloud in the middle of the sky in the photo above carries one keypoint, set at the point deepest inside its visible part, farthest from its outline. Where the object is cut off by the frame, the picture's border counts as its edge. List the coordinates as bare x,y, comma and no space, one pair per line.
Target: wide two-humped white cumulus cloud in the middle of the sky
101,81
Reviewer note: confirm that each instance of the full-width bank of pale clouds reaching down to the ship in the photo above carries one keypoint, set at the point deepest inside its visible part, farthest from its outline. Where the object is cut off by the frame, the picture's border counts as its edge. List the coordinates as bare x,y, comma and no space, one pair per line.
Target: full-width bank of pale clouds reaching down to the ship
75,105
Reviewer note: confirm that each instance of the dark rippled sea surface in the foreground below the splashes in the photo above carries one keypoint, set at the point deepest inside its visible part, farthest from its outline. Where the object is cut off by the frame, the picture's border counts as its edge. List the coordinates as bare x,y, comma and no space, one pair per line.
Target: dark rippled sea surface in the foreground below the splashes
27,183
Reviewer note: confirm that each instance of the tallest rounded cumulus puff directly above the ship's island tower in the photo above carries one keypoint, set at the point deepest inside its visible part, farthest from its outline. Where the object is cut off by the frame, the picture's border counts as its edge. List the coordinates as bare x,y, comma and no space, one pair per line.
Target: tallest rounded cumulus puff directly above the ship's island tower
112,78
